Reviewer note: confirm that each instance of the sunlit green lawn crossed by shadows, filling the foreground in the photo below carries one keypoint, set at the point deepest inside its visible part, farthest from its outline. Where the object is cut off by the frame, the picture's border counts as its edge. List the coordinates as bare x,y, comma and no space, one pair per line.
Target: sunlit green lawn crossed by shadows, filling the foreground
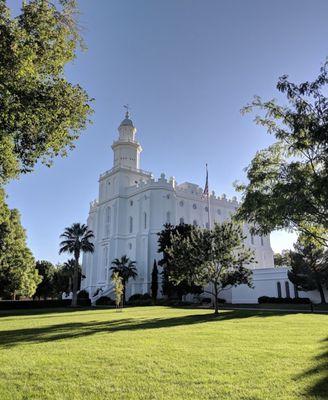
162,353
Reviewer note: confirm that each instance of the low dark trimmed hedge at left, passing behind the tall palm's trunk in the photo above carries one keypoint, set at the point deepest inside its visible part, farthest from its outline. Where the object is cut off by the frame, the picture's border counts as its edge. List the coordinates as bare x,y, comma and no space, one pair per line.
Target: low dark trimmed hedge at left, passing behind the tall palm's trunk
31,304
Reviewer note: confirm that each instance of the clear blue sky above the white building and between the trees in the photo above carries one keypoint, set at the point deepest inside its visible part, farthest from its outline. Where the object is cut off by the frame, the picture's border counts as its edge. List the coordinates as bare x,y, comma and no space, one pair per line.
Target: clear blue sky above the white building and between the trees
186,67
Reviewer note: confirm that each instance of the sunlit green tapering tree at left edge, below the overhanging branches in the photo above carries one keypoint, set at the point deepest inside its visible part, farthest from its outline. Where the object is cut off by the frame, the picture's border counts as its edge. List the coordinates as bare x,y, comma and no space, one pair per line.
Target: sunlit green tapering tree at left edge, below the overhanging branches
18,275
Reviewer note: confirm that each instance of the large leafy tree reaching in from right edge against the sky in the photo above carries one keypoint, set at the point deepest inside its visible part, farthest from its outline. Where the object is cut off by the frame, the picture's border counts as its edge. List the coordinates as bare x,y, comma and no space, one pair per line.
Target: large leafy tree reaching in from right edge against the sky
288,181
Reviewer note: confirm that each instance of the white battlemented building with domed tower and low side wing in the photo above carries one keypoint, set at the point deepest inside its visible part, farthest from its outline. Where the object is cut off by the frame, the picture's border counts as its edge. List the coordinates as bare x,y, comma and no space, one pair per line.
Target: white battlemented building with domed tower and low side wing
132,208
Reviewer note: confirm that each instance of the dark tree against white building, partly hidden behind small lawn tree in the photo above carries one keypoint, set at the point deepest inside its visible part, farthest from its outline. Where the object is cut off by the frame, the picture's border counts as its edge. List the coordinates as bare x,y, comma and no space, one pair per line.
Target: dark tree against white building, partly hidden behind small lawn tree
170,288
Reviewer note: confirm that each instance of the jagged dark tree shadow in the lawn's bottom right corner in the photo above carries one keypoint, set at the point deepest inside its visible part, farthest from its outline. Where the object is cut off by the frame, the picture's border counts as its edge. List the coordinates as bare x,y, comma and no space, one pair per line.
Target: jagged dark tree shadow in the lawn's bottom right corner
319,389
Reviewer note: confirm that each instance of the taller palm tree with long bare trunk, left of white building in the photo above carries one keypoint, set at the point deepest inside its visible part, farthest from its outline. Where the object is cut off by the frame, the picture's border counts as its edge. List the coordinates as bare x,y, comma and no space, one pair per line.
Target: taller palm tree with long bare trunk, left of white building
76,240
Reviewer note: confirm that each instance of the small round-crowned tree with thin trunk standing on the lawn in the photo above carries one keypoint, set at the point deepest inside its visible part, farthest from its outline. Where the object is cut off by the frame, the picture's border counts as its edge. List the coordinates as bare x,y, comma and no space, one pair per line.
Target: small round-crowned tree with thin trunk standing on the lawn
214,258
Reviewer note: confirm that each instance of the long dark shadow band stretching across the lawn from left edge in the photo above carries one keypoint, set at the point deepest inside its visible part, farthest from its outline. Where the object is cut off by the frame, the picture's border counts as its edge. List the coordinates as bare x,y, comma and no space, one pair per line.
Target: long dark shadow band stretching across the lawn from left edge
73,330
